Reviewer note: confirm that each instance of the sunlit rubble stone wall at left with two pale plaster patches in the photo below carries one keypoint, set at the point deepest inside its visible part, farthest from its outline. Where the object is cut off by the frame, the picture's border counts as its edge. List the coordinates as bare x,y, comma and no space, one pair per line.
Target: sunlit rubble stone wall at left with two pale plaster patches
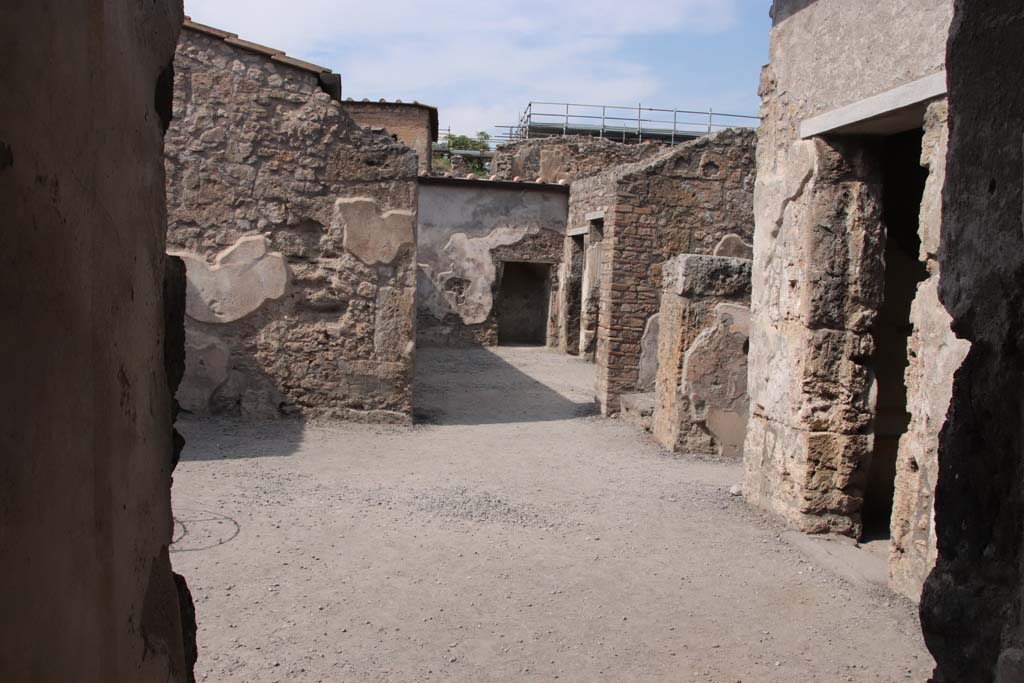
298,232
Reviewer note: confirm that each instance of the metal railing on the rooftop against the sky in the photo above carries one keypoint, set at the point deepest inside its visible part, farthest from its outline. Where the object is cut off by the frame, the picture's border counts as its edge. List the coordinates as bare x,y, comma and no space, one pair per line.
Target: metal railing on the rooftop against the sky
626,124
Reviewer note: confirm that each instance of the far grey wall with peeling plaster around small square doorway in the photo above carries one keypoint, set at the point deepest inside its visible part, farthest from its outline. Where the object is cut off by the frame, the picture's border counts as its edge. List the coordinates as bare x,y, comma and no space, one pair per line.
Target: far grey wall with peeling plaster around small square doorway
466,230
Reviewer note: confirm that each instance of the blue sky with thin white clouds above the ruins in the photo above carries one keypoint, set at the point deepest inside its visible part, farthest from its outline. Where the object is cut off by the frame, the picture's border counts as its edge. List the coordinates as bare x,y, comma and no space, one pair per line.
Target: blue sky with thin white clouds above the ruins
481,63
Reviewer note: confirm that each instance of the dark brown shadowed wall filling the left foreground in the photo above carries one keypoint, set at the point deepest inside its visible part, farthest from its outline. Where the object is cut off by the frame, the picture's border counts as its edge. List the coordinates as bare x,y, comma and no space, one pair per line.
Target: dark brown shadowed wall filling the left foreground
88,446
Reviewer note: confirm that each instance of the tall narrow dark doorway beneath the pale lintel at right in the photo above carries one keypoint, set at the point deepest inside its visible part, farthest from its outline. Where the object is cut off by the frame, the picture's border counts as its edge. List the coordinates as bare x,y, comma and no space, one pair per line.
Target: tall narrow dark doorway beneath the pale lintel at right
903,190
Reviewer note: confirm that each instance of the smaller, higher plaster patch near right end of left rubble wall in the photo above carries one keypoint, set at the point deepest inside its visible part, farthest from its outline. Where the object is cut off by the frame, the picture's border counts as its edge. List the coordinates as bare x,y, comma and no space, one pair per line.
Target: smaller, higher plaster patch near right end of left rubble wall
371,237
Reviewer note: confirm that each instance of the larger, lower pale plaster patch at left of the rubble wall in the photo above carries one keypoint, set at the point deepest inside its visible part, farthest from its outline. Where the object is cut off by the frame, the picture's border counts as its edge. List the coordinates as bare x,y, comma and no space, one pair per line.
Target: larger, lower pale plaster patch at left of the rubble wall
242,278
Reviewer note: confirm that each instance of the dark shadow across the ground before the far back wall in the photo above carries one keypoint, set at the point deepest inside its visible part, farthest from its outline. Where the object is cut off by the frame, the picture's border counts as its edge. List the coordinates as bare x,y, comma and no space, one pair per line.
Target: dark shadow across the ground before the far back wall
479,388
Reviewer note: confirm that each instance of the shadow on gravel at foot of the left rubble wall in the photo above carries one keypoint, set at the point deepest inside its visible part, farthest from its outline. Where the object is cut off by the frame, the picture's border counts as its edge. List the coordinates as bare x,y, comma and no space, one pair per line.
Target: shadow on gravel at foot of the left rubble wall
232,439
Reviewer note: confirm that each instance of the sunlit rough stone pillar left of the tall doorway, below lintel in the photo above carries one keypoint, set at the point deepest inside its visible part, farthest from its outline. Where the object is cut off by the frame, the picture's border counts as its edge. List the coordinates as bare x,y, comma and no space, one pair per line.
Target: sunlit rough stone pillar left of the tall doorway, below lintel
815,298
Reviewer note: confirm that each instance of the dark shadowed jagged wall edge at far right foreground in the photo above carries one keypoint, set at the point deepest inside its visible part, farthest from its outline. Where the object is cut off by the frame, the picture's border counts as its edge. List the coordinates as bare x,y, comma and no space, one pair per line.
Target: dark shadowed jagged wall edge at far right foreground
972,606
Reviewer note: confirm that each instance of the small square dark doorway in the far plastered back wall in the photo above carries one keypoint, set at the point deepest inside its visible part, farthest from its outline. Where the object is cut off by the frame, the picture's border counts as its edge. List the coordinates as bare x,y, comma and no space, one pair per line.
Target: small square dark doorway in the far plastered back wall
524,294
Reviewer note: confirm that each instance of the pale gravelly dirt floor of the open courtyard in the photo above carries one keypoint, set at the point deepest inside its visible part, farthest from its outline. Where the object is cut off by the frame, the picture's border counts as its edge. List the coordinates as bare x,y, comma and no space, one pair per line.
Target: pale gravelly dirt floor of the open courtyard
515,536
